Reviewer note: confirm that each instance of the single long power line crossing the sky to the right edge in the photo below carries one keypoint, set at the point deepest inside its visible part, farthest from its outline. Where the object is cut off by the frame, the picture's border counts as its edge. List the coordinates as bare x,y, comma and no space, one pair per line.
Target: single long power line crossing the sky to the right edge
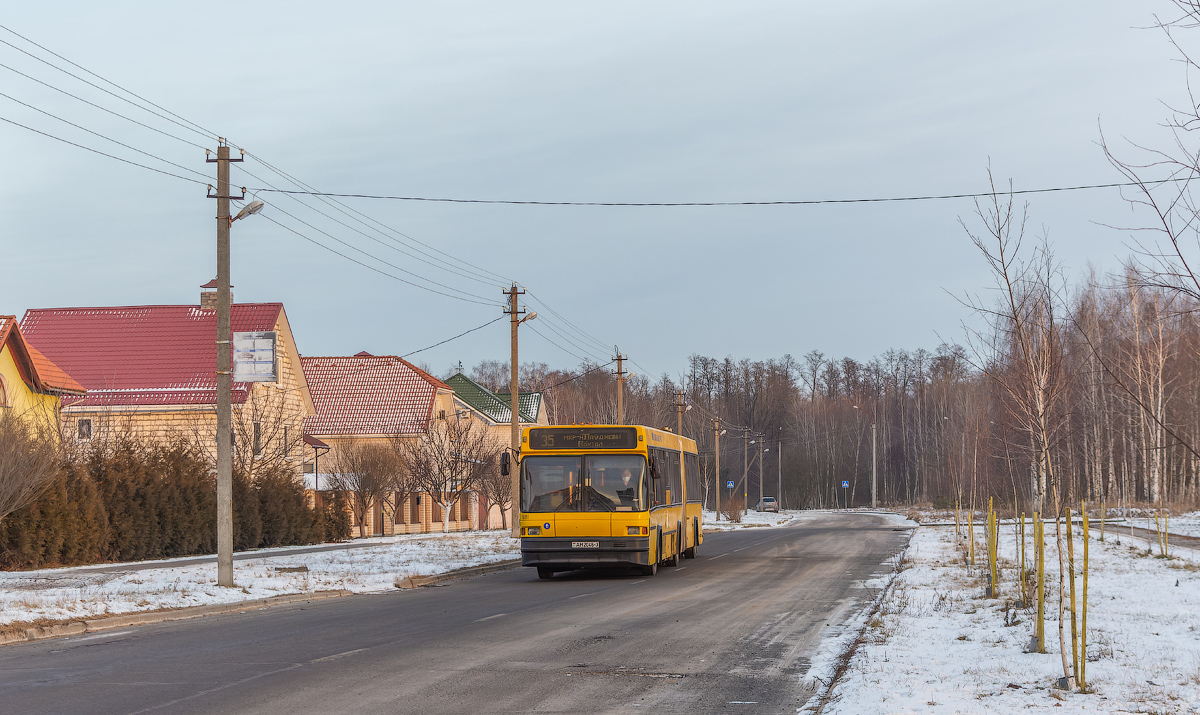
773,203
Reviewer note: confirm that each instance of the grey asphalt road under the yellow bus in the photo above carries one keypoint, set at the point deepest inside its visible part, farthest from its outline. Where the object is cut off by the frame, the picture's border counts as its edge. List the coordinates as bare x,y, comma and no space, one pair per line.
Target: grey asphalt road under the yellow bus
731,630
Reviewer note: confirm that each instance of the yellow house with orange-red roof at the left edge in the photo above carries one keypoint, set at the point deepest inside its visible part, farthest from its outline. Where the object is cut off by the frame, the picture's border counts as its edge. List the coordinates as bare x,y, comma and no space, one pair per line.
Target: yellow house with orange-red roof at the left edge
31,384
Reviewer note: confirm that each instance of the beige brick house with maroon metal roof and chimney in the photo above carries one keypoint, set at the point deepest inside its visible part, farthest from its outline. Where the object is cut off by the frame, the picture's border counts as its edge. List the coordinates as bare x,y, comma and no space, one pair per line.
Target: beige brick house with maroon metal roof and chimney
151,374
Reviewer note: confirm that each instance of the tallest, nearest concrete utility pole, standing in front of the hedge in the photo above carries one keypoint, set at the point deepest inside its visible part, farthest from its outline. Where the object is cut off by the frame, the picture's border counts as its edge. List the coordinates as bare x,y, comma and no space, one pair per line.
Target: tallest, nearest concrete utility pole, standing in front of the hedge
225,378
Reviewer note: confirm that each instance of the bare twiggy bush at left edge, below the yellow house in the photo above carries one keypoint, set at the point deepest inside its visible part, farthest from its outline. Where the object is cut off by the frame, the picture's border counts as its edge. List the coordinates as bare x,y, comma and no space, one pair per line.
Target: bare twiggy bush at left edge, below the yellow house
29,459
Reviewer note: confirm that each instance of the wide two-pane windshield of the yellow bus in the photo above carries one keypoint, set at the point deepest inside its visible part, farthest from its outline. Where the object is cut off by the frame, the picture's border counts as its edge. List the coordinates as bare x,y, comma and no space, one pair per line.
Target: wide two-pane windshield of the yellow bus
601,483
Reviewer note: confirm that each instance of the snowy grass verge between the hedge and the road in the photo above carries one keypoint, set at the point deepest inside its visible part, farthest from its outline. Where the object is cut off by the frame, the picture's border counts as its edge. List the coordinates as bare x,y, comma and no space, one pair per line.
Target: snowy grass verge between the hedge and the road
65,594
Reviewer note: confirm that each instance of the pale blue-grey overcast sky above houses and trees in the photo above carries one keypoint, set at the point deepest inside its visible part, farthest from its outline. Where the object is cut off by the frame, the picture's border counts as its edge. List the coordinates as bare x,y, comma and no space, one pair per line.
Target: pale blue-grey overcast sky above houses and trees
577,101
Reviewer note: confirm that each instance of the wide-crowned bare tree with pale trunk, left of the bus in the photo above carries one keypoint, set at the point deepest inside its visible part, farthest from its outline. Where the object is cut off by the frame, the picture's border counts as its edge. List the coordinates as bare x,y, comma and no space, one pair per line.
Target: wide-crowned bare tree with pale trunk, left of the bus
449,461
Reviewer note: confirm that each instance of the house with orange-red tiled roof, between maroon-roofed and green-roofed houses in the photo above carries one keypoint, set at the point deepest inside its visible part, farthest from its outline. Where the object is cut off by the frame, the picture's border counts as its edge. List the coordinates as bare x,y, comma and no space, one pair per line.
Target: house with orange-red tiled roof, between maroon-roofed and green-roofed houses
375,400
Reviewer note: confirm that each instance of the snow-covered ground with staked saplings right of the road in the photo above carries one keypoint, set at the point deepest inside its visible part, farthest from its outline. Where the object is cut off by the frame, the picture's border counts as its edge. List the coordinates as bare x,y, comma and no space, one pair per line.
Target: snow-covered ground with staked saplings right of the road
938,645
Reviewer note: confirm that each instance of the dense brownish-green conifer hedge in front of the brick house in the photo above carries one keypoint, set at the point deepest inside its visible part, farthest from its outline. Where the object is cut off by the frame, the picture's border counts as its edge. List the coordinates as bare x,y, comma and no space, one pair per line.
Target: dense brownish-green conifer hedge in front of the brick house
151,502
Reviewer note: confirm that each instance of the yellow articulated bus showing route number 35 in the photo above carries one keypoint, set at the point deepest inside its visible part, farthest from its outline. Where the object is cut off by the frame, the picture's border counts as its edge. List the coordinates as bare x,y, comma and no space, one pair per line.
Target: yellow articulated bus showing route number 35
608,496
